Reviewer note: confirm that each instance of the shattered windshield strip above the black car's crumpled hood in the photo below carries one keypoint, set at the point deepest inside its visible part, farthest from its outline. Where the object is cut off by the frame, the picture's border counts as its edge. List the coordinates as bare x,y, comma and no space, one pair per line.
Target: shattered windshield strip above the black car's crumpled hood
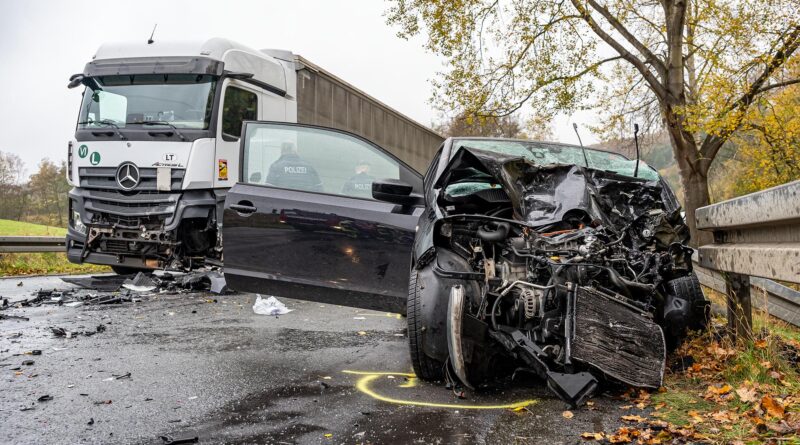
544,153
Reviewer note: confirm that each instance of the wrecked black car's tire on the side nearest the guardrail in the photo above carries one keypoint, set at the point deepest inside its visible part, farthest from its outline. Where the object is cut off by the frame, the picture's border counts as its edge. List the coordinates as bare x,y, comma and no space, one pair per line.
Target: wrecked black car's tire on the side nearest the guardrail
686,308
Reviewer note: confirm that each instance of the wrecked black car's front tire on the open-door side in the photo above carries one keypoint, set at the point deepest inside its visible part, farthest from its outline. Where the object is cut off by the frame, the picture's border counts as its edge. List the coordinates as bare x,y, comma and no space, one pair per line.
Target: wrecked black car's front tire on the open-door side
425,367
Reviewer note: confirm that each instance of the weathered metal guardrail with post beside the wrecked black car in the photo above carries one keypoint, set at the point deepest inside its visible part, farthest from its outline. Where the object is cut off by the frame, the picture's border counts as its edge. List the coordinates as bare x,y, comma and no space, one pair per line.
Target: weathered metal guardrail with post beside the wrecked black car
758,236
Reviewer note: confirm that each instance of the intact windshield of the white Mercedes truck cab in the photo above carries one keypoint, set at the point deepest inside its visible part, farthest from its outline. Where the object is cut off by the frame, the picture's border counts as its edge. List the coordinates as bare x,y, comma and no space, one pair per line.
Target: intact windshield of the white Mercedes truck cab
182,100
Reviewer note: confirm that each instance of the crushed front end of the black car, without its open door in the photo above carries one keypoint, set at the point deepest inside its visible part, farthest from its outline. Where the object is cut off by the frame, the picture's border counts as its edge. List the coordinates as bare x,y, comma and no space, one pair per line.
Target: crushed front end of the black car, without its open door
577,273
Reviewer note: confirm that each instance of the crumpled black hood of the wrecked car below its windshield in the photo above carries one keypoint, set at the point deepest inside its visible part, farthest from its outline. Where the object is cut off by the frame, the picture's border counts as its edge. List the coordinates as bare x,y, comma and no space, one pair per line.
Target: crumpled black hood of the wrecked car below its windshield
544,194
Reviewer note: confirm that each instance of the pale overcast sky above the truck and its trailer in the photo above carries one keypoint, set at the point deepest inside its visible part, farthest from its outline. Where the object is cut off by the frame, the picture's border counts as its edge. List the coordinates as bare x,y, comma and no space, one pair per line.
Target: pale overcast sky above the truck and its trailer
42,43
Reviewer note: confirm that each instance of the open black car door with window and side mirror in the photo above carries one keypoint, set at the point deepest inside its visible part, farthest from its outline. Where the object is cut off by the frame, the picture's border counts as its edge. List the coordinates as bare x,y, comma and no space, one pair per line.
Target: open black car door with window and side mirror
303,222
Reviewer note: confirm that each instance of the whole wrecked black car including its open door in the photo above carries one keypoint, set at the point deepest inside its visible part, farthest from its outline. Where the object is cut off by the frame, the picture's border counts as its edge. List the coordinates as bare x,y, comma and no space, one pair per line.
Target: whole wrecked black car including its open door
565,262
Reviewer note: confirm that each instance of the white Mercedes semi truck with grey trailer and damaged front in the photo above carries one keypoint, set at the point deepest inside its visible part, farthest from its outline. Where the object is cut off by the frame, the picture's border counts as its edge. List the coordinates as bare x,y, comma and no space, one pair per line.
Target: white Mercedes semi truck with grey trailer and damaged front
156,145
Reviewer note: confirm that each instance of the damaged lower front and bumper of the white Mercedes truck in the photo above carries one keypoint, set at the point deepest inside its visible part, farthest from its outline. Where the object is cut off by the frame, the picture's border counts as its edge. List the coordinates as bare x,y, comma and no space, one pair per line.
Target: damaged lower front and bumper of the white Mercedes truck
147,230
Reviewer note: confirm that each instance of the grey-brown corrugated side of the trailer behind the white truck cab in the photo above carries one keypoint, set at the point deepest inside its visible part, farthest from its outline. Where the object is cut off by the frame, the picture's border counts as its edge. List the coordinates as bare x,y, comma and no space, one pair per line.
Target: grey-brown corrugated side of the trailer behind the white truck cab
326,100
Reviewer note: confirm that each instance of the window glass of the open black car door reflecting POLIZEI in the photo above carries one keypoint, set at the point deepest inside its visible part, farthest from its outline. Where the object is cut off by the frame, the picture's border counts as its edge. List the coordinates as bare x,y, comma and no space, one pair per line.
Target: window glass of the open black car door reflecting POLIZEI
315,159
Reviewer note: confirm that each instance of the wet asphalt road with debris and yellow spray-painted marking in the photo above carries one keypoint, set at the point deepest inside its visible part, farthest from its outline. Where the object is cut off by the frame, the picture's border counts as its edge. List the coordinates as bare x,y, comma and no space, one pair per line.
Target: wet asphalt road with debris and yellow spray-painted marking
321,374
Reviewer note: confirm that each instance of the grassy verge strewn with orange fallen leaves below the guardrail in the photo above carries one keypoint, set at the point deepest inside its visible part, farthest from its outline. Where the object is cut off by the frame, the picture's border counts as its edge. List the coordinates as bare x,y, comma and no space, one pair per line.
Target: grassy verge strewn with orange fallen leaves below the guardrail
718,392
